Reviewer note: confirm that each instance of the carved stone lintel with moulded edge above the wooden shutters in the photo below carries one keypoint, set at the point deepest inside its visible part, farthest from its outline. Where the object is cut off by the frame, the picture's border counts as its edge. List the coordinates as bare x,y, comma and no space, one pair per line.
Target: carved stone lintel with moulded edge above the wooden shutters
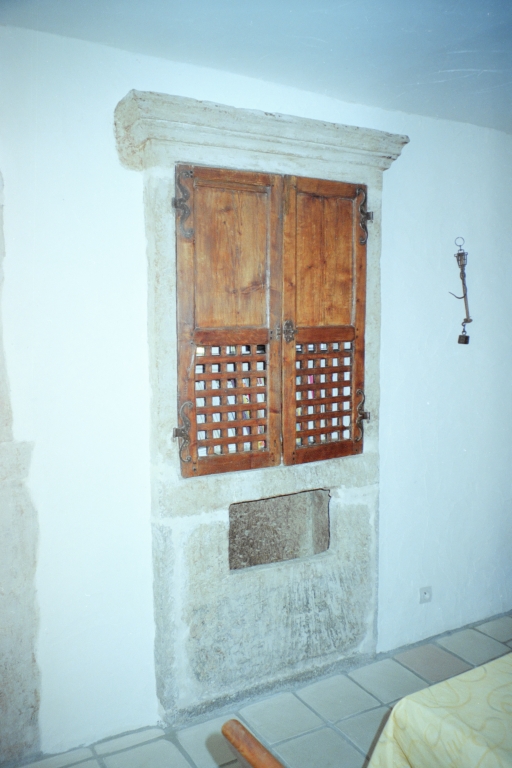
149,127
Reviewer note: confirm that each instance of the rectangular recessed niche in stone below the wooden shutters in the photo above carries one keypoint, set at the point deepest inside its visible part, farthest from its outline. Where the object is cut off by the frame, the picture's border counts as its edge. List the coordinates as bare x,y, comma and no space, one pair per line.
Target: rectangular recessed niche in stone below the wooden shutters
280,528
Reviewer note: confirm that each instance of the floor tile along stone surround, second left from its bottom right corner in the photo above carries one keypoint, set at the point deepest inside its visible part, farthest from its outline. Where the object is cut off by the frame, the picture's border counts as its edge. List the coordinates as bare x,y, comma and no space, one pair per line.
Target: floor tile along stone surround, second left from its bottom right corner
337,697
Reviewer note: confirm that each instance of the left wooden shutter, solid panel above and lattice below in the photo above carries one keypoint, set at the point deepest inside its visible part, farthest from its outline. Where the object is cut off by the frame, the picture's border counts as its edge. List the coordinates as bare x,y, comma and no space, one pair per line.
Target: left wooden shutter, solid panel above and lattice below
228,235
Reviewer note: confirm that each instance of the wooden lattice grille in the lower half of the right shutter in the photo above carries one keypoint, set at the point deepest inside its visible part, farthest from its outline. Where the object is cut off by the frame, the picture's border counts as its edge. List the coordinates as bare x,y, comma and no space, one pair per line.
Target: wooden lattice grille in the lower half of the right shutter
323,393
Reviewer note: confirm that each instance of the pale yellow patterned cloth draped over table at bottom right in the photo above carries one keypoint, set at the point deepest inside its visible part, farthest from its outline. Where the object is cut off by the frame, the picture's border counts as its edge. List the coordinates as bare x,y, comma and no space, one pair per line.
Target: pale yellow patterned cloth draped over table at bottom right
463,722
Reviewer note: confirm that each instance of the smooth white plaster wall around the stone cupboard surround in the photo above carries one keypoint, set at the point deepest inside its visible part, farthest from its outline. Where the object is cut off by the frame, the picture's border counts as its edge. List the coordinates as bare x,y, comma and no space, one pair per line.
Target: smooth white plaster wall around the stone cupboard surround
75,336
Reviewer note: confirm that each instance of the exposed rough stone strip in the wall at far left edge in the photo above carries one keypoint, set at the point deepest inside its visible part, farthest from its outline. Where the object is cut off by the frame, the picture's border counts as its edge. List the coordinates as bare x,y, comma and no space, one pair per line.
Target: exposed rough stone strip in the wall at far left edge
19,673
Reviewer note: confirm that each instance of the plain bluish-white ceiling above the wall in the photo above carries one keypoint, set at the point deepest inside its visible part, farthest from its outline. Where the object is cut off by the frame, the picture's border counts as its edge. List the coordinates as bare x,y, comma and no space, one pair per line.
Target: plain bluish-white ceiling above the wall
442,58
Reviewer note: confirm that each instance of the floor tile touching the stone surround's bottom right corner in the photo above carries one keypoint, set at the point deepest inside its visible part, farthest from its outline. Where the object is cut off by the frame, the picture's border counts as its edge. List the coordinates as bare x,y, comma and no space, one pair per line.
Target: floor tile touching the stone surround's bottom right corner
387,680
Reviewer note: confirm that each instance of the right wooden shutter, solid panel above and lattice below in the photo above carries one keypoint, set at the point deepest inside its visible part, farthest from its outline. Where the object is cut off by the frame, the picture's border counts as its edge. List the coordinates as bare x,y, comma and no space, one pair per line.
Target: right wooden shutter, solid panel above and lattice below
324,289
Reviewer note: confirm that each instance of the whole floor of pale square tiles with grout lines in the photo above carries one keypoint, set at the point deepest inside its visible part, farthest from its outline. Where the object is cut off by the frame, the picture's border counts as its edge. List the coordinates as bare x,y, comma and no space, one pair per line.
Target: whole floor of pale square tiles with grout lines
330,723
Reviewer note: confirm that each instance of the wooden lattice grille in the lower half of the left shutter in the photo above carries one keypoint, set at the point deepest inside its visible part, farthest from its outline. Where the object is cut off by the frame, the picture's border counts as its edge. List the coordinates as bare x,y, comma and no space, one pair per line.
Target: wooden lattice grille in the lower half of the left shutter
231,399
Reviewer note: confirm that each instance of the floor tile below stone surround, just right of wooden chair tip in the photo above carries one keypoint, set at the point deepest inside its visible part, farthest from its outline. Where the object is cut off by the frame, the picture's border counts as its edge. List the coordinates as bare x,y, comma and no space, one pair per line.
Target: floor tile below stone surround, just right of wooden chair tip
280,717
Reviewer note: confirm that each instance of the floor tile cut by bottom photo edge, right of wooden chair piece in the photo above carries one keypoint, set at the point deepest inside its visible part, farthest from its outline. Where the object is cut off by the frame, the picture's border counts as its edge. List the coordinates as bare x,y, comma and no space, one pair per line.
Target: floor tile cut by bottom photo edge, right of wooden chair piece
320,749
